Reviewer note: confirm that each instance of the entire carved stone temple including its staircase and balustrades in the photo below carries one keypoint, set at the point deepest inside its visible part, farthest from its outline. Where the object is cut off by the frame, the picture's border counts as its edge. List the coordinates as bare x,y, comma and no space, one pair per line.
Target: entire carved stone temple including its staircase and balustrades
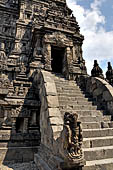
52,113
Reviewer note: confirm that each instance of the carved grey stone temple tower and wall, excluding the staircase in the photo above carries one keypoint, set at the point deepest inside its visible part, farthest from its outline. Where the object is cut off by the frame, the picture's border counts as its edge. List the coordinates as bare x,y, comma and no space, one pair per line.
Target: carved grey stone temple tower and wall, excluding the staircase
34,35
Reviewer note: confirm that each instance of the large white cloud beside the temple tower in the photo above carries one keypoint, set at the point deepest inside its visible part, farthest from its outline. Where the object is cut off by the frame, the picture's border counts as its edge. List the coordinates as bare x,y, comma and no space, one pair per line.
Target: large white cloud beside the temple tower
98,43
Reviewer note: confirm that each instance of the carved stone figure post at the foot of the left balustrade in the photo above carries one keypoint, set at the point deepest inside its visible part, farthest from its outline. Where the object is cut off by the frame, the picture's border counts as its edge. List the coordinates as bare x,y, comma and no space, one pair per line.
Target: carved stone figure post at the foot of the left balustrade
73,137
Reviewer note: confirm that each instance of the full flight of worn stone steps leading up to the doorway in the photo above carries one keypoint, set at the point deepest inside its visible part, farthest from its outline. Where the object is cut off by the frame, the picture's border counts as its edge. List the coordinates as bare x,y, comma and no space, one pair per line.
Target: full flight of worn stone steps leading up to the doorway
97,126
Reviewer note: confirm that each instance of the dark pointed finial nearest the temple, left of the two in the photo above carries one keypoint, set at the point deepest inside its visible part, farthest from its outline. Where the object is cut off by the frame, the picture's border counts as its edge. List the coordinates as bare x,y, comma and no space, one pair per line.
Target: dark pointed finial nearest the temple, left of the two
96,71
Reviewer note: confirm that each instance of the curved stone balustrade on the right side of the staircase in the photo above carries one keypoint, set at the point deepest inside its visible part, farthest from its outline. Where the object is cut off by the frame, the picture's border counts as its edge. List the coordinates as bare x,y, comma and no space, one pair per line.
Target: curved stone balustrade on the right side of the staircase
100,90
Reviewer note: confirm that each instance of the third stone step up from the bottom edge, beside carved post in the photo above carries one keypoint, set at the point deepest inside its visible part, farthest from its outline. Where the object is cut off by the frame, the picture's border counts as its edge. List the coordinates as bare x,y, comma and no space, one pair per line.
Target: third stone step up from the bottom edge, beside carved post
97,142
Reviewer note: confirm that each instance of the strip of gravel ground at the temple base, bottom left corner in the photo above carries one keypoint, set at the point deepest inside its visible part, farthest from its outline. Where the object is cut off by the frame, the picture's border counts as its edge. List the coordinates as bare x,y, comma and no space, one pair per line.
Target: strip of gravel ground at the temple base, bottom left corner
19,166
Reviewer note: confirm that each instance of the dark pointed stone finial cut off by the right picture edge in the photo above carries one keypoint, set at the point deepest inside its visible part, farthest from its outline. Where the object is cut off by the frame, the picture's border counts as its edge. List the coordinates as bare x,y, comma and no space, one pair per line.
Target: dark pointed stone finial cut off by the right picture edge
109,74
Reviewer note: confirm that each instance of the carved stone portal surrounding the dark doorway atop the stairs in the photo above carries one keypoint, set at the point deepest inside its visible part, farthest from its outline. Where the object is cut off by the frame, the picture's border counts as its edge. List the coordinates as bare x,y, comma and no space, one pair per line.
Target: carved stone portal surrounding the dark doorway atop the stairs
60,50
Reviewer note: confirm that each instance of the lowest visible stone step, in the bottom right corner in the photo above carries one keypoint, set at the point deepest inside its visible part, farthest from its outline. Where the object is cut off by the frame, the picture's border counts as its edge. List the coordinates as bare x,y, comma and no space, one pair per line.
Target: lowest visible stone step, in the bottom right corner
102,164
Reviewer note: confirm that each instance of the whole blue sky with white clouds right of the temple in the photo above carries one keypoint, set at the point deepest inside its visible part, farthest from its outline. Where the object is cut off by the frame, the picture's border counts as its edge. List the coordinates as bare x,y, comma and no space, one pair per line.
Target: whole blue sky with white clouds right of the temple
95,18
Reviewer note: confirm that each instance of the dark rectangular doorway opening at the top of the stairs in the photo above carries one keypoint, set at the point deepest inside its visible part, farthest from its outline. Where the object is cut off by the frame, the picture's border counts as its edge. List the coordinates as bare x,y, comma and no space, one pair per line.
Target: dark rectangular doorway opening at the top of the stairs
57,56
